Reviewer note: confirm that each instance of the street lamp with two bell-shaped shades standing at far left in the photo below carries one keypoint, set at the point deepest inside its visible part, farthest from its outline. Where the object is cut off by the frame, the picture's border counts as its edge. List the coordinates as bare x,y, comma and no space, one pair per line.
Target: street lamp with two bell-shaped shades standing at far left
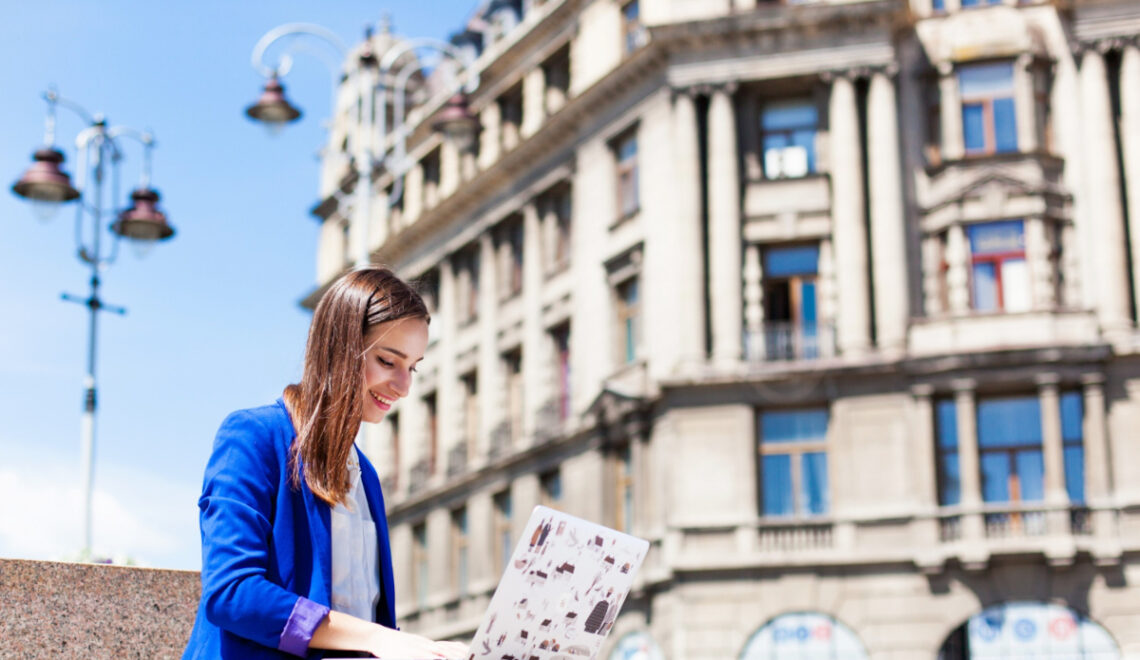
48,186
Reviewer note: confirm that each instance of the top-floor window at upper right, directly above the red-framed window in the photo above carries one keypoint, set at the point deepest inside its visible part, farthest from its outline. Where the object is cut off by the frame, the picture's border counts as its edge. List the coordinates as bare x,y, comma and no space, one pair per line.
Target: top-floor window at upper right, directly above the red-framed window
989,117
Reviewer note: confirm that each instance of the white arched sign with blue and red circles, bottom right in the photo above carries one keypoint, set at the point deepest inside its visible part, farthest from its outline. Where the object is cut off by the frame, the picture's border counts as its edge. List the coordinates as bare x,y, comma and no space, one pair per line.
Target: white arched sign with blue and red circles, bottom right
1017,631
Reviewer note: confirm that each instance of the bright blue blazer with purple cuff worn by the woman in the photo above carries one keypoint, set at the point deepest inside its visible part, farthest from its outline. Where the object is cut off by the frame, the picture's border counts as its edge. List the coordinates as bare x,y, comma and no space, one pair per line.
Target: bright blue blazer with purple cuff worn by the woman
266,555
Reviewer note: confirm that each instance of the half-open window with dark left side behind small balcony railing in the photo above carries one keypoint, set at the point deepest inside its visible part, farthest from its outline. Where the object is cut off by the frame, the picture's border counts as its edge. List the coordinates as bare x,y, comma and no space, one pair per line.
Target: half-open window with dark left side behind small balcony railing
792,321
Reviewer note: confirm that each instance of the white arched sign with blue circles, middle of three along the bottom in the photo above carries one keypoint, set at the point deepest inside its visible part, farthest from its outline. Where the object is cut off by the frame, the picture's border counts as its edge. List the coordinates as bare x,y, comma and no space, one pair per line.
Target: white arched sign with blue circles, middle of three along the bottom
804,637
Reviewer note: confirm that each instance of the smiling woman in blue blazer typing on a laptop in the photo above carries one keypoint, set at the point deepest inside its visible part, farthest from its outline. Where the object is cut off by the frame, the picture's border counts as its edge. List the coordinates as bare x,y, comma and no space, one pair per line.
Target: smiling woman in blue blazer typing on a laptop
296,558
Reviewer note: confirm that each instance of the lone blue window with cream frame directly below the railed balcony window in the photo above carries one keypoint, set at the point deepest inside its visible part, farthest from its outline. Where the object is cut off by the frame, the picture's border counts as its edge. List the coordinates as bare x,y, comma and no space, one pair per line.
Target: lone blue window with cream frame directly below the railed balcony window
794,463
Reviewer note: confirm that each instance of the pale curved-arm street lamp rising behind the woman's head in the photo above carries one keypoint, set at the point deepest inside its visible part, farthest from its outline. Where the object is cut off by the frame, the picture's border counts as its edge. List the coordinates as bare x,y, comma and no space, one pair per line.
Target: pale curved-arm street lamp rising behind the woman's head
387,72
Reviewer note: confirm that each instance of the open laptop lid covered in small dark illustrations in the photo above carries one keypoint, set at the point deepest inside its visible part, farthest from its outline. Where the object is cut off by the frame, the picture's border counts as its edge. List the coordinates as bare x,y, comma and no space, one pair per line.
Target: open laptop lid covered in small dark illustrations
561,591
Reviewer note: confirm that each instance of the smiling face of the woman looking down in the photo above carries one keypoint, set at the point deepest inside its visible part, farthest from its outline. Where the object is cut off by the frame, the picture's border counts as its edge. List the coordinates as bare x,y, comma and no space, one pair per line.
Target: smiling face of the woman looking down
392,353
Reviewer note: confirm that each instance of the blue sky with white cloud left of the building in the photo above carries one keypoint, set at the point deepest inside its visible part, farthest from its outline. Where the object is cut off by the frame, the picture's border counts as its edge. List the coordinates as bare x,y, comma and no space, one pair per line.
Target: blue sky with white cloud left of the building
214,322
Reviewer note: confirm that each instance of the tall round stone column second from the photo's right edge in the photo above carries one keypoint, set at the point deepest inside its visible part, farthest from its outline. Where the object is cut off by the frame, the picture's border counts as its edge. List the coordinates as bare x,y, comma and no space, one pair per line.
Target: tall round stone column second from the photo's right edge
1104,214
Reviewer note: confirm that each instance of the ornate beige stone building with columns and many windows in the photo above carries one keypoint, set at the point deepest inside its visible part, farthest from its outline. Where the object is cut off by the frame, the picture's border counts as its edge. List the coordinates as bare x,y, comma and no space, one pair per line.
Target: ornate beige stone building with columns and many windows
833,303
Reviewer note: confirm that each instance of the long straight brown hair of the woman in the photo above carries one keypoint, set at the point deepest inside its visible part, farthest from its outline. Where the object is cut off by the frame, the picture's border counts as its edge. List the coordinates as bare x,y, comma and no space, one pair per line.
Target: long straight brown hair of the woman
328,405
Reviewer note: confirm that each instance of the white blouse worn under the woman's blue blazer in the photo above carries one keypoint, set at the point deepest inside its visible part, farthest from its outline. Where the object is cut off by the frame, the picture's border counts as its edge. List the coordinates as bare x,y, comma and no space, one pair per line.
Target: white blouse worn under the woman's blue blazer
356,561
